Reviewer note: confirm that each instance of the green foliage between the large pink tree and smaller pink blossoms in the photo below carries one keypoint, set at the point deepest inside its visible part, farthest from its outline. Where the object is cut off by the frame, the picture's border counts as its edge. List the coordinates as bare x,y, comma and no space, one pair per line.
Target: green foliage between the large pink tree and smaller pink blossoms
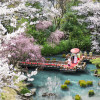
40,35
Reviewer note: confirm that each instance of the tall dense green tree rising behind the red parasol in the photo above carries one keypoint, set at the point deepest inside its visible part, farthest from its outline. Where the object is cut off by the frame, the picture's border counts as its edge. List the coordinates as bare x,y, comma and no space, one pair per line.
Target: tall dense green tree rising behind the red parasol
76,32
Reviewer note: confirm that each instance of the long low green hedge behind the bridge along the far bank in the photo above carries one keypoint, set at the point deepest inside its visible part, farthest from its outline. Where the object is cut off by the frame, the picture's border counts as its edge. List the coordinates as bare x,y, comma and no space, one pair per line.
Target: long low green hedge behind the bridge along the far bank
65,46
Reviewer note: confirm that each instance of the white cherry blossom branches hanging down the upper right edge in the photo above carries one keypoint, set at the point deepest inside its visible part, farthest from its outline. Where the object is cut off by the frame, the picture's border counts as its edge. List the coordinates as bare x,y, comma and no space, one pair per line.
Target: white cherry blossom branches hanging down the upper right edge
91,10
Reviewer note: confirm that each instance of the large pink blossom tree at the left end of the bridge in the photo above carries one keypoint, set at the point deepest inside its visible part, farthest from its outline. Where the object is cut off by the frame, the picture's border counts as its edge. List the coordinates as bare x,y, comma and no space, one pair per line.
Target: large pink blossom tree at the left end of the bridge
21,48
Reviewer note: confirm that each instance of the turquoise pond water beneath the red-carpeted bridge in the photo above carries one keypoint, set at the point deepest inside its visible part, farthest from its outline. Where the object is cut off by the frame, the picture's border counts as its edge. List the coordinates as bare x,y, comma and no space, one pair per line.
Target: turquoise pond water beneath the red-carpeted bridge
51,81
